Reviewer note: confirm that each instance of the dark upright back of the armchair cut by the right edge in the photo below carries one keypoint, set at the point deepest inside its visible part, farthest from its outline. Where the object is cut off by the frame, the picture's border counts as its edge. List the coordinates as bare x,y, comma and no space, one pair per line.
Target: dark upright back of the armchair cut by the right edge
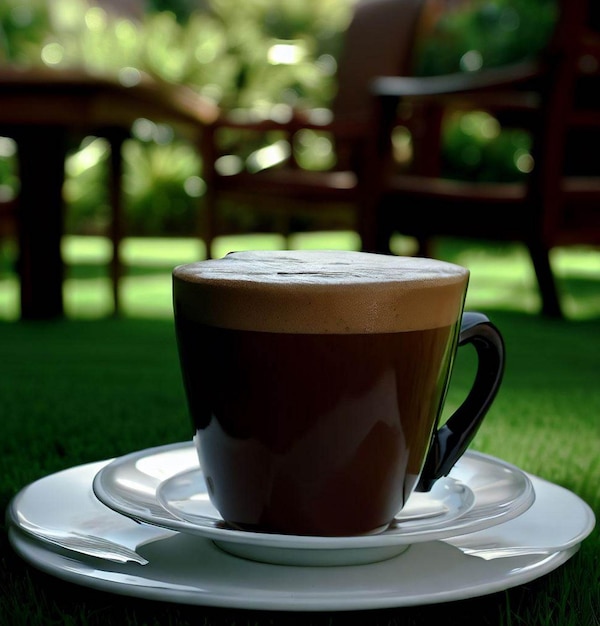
565,182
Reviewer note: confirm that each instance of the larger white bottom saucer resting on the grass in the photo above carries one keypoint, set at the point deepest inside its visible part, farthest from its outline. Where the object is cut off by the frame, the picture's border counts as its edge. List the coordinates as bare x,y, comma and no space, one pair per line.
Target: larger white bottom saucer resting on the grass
188,569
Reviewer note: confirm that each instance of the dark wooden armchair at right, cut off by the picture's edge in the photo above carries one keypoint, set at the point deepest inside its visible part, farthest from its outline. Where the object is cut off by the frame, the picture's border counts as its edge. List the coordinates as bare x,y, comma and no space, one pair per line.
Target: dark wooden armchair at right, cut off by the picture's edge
557,98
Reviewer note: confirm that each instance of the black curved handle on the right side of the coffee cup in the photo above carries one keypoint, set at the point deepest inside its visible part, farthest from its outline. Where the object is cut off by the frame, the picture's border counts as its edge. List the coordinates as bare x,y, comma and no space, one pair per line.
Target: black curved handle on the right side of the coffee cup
452,439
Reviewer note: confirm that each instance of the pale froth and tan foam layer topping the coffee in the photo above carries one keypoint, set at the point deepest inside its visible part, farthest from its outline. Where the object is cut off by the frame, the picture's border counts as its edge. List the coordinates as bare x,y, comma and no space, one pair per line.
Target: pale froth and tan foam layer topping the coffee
310,291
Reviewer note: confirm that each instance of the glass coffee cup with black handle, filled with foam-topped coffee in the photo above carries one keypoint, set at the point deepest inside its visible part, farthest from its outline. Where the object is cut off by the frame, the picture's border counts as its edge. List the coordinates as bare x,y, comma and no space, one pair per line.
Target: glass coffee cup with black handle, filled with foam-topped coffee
316,380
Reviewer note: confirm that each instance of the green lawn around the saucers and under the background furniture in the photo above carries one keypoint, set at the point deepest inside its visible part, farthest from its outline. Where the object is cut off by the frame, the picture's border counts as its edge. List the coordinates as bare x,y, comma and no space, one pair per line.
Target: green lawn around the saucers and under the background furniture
91,387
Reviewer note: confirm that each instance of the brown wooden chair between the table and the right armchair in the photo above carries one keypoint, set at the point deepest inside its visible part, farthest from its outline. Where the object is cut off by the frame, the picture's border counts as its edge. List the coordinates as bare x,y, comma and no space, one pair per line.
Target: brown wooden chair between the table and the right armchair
379,41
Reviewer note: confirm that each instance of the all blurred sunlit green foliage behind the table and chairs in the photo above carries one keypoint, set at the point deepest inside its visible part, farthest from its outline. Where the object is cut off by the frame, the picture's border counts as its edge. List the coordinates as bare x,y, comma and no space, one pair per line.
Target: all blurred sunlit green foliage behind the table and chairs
252,54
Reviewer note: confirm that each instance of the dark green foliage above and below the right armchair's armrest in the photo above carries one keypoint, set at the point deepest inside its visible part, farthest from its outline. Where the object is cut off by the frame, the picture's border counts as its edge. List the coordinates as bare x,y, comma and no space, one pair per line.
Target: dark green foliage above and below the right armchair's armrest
468,36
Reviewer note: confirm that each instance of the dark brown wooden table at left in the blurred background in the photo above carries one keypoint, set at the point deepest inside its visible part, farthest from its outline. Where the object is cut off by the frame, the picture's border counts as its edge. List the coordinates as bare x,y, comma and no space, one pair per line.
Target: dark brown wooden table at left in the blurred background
44,110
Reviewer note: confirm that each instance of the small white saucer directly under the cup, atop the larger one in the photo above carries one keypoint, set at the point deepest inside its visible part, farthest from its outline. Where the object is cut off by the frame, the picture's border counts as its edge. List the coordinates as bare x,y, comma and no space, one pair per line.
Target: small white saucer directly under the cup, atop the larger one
129,485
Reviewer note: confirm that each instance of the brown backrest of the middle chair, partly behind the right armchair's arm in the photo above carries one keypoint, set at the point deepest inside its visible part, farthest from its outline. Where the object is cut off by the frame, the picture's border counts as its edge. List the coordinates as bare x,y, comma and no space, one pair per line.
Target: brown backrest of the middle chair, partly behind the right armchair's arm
378,42
